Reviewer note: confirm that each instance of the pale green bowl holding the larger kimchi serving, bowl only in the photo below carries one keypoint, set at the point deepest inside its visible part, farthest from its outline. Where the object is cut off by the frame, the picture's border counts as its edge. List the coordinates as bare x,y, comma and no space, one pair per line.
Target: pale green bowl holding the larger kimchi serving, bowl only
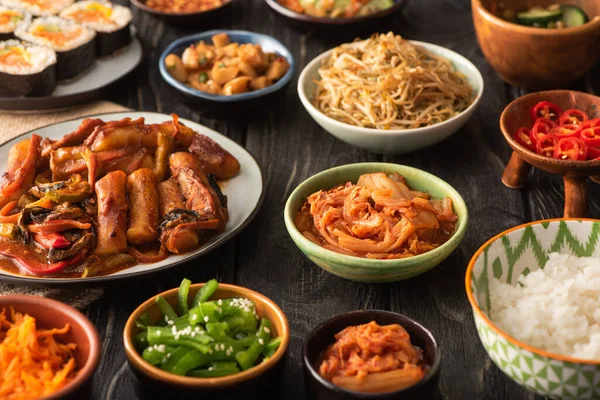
374,270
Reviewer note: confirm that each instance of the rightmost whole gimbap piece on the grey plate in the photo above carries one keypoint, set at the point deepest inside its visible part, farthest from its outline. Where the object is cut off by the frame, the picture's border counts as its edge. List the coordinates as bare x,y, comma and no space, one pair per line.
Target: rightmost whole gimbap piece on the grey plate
111,23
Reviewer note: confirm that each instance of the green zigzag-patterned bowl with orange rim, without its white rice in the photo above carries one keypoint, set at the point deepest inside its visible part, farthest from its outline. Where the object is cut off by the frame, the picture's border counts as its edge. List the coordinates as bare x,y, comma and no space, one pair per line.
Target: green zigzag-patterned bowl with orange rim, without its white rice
507,256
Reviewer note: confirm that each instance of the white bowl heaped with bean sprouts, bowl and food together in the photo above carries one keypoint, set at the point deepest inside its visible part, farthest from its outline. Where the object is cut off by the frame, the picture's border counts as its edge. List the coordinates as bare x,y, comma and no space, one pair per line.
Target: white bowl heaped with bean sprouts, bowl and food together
390,95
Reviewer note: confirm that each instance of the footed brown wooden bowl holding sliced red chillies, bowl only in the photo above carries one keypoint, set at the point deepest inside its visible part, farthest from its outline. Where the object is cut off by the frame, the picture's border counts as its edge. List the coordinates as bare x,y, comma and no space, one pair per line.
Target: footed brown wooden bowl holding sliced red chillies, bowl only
575,173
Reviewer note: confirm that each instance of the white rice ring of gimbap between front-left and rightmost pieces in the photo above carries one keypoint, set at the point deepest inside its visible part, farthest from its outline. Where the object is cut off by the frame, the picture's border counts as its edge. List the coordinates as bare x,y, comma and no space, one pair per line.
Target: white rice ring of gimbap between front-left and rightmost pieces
25,33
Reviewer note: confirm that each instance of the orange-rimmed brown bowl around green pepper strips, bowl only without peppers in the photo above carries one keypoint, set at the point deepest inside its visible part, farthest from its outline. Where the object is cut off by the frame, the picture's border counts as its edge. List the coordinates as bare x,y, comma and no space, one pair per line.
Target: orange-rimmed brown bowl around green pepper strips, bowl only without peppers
159,381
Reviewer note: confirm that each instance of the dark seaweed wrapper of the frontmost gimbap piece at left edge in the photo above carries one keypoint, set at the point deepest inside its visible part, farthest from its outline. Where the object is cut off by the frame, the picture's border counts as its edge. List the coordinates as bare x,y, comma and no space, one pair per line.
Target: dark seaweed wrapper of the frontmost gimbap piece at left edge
40,84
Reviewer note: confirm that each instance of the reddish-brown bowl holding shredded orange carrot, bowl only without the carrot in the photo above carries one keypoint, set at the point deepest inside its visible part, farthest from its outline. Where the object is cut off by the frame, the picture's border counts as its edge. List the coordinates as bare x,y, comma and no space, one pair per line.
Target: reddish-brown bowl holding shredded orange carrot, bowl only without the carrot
50,314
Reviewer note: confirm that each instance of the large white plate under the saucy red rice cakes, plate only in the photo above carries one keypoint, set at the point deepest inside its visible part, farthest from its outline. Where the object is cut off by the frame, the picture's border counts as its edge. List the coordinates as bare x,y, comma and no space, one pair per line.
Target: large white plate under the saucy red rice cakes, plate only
244,196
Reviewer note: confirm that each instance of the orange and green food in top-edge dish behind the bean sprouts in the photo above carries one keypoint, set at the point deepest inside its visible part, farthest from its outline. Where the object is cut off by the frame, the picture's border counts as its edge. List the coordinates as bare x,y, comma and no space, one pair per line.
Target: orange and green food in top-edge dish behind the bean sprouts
337,8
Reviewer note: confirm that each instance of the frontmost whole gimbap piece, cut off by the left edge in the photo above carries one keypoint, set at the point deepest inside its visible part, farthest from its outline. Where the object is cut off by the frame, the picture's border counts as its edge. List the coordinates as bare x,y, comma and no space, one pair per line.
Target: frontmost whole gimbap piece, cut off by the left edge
26,69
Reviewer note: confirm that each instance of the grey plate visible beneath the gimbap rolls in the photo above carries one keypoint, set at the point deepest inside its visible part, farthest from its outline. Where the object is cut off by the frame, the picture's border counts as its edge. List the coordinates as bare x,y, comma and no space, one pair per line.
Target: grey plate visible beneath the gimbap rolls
86,86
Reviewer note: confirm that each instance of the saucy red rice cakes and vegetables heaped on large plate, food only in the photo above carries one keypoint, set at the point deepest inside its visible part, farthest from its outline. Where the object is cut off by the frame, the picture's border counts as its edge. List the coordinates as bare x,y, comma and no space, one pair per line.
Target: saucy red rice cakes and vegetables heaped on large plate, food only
110,195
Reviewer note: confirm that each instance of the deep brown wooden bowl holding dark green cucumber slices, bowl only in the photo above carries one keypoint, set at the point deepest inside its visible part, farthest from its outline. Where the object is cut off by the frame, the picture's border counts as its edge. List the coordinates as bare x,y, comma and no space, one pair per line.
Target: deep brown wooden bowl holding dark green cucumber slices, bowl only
537,58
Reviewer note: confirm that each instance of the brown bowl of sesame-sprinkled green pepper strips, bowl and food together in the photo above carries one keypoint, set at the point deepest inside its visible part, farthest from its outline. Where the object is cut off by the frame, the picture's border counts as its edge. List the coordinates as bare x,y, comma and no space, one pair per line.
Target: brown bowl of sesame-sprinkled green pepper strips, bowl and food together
206,337
